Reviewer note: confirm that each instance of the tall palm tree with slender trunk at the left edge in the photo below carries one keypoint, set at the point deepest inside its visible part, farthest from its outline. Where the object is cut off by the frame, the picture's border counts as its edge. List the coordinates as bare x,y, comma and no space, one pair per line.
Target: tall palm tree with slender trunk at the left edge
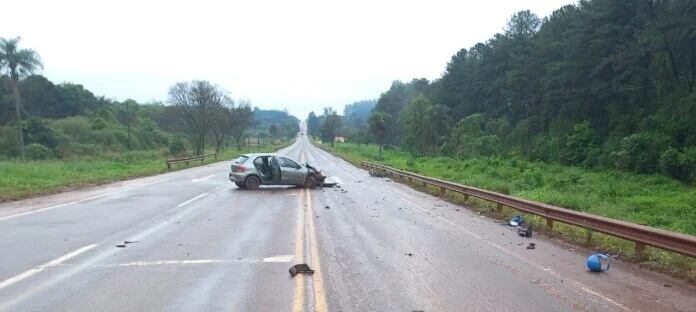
18,63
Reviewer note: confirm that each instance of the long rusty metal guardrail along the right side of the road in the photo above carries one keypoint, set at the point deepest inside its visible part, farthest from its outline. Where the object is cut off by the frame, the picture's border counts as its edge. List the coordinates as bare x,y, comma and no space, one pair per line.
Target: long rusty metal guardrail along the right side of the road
641,235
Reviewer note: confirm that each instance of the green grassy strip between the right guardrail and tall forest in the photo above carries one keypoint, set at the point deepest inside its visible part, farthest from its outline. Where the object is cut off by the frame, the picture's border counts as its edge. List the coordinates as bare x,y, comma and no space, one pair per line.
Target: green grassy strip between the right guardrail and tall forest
652,200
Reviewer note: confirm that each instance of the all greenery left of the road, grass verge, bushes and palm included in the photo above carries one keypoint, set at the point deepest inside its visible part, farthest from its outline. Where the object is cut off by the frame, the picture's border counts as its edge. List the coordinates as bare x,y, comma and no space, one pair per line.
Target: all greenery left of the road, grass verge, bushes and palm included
55,137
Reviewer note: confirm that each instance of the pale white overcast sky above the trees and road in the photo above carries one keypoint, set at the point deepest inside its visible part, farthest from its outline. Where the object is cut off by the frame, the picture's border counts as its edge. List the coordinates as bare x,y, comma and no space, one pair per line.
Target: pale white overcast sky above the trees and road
299,55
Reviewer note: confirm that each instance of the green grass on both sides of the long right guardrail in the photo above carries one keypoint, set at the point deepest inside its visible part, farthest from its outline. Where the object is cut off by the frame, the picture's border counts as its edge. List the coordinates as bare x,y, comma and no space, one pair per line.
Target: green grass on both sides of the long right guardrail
652,200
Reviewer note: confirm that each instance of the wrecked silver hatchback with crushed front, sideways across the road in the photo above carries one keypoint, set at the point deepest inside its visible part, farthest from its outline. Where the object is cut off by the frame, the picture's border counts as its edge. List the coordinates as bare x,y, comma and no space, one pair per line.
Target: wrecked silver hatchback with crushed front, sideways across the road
253,170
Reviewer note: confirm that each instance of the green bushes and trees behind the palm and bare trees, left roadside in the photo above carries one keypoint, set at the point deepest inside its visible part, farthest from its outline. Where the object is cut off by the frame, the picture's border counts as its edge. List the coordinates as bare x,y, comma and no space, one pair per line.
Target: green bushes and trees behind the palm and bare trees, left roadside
67,120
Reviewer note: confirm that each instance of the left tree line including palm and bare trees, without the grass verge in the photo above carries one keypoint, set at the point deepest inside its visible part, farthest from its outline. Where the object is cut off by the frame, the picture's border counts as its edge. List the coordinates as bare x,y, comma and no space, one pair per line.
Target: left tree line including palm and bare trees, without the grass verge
42,120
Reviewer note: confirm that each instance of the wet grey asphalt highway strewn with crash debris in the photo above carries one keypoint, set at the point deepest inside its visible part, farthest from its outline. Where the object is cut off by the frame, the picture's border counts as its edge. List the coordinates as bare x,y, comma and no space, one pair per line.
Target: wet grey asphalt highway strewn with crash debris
202,244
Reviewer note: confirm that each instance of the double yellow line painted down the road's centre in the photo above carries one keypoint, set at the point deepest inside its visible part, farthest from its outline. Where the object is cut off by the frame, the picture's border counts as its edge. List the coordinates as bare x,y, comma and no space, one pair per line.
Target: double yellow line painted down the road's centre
306,233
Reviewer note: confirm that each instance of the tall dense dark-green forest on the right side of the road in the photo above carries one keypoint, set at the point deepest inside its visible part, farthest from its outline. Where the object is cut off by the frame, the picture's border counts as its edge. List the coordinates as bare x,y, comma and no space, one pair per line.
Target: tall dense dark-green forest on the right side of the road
599,84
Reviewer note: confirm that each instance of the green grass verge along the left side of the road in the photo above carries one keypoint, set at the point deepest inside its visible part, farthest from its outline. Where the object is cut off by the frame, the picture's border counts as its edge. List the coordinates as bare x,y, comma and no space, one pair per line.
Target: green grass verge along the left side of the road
31,178
